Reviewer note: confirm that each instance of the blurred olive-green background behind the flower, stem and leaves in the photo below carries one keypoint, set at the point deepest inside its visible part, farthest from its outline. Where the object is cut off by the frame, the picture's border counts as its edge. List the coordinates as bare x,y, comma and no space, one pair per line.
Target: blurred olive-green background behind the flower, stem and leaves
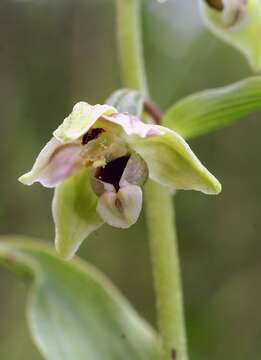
54,53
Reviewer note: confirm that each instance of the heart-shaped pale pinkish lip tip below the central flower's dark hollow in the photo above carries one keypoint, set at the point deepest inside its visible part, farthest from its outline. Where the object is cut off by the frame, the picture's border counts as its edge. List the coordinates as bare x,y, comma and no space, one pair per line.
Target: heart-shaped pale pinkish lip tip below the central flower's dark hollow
121,209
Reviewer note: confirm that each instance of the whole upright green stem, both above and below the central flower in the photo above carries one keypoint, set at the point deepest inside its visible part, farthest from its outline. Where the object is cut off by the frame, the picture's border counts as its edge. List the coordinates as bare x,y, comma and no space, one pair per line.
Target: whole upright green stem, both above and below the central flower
159,205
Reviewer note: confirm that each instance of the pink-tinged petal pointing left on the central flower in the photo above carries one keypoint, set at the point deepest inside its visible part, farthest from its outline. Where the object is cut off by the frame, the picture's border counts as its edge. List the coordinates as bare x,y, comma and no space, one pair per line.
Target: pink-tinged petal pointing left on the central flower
54,164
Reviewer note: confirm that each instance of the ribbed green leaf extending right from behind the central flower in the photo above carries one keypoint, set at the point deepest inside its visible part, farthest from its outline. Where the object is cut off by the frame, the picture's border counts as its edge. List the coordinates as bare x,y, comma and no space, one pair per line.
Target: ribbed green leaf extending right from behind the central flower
214,109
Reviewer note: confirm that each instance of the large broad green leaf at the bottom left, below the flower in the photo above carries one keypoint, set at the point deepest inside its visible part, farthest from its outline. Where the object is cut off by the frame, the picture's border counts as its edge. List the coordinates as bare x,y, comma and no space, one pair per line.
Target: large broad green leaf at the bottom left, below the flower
74,312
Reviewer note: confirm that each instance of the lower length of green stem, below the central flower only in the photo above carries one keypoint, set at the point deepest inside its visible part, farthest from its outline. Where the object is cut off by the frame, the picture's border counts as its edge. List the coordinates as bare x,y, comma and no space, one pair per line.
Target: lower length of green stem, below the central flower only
166,269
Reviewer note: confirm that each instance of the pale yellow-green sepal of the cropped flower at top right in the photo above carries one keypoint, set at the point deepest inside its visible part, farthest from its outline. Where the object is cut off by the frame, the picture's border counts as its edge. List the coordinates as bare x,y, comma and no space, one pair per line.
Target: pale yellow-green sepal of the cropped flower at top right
244,35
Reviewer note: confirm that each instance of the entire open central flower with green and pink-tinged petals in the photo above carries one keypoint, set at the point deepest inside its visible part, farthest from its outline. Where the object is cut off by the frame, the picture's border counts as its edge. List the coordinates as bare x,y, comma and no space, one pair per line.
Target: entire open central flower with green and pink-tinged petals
98,161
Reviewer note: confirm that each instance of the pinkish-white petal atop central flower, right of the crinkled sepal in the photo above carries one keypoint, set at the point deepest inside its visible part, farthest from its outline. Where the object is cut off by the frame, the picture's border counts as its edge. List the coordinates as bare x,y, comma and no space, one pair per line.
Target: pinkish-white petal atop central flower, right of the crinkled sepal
132,125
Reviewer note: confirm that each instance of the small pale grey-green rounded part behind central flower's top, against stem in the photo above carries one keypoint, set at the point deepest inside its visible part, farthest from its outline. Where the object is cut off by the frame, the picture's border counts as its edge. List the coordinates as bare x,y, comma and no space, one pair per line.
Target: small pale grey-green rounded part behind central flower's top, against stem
125,100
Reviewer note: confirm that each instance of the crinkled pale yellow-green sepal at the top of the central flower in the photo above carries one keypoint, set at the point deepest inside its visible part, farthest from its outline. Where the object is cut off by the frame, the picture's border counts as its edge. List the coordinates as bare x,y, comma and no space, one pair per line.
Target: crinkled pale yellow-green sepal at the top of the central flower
82,118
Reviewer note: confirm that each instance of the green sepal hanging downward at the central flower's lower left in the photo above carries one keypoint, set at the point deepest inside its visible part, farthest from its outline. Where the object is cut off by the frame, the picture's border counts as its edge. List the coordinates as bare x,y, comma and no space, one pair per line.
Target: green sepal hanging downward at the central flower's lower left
74,213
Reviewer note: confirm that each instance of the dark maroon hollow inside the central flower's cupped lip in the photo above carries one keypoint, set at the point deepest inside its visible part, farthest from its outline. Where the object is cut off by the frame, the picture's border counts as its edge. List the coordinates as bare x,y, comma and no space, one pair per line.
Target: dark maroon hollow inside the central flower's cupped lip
113,170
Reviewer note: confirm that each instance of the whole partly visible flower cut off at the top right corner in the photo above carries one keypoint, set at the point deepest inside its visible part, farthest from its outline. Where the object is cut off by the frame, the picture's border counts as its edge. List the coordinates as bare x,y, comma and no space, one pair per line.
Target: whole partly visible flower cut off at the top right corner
237,22
